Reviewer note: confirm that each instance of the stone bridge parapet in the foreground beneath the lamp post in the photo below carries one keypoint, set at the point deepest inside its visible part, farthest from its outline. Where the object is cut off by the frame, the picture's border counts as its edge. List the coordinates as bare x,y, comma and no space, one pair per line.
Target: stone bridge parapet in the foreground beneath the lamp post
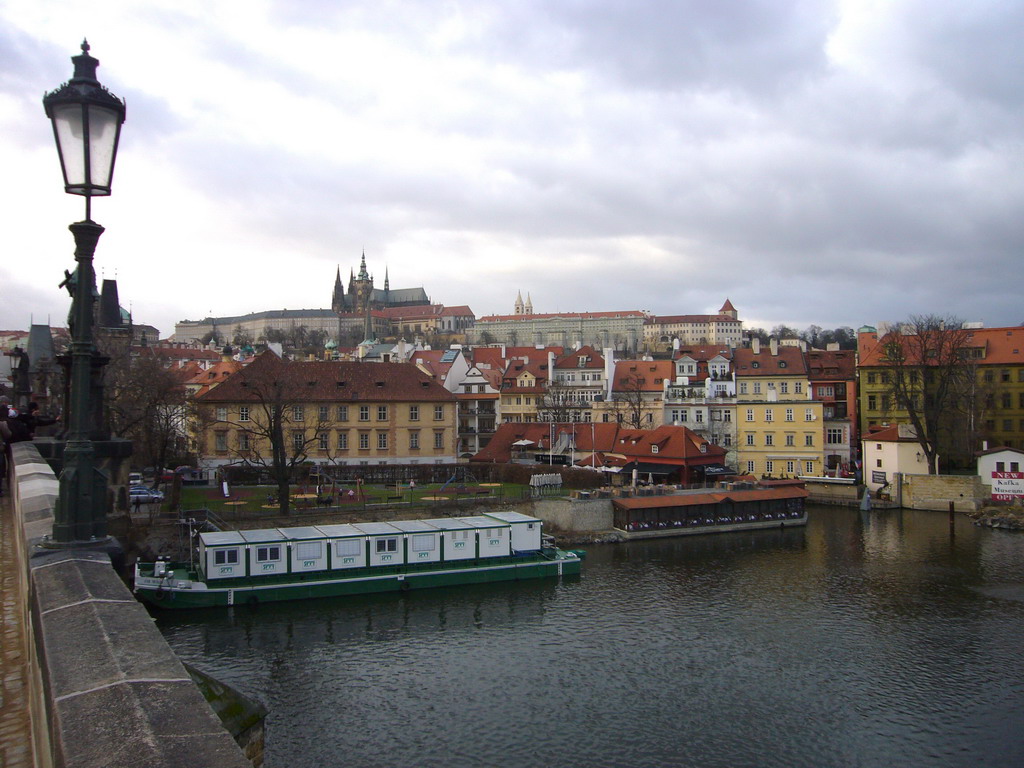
112,692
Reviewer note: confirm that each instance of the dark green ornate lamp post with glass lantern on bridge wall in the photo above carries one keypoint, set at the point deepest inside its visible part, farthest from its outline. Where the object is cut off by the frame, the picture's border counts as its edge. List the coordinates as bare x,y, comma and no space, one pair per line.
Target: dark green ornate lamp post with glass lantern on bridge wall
88,122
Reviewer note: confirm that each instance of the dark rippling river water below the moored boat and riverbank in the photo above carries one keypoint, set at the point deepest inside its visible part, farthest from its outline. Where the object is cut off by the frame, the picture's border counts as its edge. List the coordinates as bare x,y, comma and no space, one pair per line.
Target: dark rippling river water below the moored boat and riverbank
866,639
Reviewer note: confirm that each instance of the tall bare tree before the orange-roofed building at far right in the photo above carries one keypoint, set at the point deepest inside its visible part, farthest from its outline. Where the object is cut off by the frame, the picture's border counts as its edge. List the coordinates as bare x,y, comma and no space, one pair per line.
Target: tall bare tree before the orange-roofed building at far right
930,378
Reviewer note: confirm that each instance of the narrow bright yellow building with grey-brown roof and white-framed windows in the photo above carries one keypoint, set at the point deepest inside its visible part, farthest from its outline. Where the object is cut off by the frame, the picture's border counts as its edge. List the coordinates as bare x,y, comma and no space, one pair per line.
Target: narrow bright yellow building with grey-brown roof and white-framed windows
779,428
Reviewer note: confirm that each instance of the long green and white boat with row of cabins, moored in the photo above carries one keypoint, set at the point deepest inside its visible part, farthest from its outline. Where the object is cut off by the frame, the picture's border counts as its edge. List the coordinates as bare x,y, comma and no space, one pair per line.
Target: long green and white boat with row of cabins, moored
249,568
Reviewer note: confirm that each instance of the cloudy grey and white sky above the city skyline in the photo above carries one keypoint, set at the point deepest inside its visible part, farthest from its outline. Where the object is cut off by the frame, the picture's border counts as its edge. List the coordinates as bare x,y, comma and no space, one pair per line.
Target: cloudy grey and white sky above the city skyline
831,163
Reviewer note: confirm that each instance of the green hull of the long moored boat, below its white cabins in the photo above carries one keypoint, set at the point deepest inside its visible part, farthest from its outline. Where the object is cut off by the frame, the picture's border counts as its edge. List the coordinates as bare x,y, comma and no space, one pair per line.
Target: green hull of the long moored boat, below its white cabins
178,592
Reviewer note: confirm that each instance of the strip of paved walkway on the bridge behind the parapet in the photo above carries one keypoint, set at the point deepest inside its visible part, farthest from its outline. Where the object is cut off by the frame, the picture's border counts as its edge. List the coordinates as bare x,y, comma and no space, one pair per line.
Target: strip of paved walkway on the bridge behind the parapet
16,727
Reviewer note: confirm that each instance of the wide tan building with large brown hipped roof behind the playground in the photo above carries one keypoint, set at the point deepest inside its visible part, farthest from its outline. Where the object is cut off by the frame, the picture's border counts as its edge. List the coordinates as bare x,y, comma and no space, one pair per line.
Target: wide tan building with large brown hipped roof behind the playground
327,413
